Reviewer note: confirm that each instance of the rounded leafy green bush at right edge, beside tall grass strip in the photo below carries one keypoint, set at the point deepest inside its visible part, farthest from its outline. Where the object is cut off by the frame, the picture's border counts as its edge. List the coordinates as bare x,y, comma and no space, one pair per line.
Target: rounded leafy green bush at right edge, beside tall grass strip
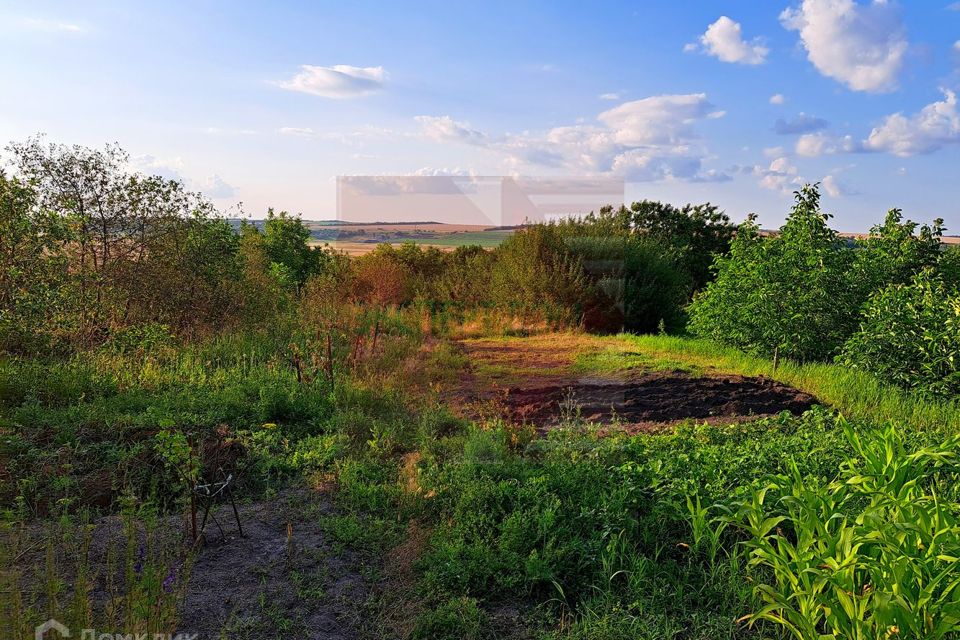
910,335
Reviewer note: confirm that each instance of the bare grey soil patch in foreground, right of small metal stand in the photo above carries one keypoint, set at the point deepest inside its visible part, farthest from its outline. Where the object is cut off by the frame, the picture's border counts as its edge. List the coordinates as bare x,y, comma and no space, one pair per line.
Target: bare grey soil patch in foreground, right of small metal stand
283,578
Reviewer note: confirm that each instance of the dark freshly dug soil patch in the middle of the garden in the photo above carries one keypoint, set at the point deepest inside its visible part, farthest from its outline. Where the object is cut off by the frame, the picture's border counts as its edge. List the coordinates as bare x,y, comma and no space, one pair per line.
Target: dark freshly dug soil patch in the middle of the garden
655,399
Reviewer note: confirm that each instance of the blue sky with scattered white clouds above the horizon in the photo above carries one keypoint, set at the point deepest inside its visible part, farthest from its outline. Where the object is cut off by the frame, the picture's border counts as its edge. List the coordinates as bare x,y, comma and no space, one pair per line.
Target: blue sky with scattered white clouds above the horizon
733,102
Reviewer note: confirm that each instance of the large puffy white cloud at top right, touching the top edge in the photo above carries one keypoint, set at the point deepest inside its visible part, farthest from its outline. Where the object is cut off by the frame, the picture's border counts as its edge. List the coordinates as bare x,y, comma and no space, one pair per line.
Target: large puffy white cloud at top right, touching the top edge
861,45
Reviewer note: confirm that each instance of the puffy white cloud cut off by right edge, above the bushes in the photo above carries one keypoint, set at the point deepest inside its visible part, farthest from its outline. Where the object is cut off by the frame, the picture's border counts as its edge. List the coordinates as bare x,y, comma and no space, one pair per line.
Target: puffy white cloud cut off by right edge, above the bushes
936,125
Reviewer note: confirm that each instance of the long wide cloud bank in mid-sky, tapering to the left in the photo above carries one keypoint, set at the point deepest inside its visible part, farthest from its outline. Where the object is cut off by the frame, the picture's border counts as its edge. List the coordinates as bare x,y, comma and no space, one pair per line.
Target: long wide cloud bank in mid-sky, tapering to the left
650,139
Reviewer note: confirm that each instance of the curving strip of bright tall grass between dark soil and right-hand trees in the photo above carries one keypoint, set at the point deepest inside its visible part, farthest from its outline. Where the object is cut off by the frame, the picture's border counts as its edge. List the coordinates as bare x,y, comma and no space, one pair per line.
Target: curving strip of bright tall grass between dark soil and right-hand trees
855,393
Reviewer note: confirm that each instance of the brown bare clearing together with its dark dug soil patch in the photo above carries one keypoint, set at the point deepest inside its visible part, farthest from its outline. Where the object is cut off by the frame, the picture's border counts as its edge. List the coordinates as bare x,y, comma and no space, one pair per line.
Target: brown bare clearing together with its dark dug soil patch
535,381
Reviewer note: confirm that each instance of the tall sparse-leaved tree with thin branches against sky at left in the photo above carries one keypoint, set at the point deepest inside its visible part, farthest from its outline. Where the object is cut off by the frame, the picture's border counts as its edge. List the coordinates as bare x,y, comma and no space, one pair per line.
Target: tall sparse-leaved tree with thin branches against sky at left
115,216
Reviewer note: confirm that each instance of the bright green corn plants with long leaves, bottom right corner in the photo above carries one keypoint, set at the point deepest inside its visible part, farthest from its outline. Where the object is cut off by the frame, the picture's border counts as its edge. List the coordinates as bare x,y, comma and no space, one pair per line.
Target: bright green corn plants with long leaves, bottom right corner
873,554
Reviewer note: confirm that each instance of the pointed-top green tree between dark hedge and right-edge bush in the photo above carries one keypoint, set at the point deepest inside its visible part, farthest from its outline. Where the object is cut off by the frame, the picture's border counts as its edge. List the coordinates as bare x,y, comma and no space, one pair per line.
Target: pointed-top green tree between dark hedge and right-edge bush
789,294
